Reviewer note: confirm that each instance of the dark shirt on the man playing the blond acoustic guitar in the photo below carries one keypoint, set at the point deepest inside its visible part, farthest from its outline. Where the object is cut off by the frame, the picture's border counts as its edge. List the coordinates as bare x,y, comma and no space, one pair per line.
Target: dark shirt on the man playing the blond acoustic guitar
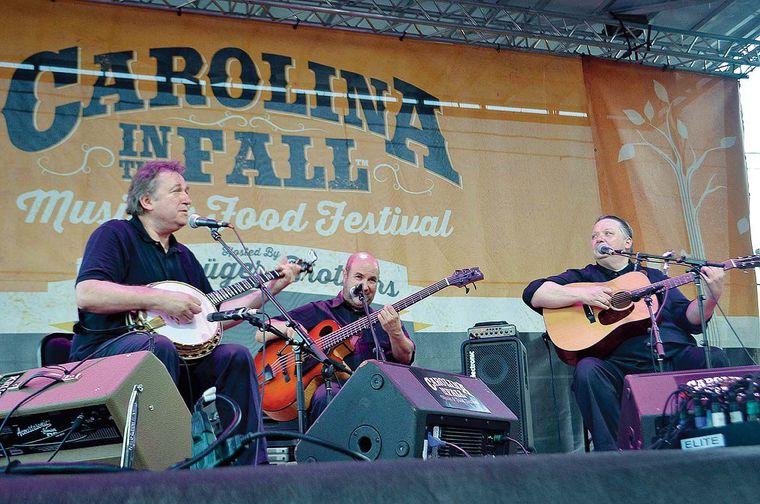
674,326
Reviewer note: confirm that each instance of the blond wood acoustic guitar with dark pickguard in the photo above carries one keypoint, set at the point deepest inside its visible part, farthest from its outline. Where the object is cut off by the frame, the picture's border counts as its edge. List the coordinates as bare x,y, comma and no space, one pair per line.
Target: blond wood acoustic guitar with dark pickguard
582,330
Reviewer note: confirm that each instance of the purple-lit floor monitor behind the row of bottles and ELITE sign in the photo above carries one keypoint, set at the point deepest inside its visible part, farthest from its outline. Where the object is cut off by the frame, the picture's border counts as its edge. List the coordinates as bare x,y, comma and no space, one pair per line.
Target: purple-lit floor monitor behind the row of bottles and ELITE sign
644,398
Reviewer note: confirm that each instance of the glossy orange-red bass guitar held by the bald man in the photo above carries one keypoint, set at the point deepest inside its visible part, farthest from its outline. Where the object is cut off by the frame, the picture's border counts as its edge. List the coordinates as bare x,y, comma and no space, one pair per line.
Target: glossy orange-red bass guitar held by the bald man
276,363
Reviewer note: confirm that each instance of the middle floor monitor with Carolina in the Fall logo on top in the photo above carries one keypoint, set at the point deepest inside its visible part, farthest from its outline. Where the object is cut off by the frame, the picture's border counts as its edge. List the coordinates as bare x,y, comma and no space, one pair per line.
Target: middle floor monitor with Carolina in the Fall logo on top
390,411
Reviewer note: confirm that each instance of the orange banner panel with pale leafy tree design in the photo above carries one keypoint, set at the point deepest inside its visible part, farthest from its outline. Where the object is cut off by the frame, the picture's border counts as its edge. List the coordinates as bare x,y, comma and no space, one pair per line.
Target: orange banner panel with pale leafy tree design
669,158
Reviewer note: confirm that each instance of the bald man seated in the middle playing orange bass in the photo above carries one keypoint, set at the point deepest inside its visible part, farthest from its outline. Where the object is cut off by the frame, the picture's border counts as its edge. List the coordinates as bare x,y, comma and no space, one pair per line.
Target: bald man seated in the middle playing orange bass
396,346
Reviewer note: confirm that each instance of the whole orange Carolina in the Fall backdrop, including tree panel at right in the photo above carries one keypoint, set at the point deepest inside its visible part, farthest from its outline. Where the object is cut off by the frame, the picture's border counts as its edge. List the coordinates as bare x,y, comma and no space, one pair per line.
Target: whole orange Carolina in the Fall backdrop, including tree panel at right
433,157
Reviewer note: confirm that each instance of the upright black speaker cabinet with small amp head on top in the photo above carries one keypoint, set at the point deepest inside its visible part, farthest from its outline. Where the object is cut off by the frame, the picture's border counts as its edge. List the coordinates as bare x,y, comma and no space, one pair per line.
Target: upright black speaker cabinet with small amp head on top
502,364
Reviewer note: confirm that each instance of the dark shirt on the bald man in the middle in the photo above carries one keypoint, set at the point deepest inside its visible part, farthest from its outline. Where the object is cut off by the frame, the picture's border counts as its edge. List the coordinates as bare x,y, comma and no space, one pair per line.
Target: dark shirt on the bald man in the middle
311,314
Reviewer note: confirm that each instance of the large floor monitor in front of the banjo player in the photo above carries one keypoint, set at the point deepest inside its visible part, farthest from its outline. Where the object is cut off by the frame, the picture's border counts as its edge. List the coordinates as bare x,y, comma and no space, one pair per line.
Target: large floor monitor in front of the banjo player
100,389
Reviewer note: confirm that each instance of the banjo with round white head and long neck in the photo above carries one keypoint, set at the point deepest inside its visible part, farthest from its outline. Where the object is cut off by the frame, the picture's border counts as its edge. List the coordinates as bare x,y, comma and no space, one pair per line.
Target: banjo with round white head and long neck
198,338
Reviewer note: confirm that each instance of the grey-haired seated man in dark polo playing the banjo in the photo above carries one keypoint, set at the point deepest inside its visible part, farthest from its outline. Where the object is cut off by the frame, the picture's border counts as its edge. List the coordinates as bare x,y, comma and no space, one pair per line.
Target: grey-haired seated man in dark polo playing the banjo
123,256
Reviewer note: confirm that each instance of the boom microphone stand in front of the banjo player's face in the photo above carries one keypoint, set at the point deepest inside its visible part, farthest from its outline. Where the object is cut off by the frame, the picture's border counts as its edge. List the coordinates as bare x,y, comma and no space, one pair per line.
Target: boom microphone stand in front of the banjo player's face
303,343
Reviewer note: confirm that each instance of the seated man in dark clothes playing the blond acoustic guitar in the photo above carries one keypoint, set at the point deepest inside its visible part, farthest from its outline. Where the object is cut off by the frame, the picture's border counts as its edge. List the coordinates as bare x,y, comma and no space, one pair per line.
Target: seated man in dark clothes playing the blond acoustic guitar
598,380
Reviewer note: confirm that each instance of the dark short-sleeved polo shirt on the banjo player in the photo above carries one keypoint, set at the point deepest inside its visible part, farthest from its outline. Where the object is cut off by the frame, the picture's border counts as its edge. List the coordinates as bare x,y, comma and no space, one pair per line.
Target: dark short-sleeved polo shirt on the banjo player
122,252
